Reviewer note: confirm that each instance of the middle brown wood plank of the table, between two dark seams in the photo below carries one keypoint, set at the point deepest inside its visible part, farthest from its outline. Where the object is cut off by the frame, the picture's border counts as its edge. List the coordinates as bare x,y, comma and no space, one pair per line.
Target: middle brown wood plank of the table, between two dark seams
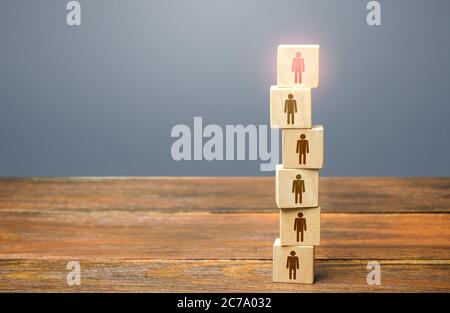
145,235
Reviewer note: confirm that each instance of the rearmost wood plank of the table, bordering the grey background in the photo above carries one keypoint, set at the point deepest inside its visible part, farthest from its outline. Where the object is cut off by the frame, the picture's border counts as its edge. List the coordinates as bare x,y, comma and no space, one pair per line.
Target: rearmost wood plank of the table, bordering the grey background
220,194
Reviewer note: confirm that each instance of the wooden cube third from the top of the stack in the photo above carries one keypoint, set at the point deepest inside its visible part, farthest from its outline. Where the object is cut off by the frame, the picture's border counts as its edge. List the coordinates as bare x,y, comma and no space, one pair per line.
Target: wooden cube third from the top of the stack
303,148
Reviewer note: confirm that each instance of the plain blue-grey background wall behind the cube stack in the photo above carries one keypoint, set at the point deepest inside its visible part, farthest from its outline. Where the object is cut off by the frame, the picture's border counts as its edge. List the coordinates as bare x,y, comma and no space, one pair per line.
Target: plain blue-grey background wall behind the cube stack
101,99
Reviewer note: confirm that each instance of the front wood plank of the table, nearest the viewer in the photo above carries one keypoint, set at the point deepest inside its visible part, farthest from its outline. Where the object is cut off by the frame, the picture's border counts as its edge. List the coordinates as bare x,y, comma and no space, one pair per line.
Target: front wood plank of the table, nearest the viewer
217,276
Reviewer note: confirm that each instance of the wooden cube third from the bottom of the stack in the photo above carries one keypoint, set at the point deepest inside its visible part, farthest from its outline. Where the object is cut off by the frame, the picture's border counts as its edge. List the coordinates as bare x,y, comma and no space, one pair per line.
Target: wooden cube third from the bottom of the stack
296,188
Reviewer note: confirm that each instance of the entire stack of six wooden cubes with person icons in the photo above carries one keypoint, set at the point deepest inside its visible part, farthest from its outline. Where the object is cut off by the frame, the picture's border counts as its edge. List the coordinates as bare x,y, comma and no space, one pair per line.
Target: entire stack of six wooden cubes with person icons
297,179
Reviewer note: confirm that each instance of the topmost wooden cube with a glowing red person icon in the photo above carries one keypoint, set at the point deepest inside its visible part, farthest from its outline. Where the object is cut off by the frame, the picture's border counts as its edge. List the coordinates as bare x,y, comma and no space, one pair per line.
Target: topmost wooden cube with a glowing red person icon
298,65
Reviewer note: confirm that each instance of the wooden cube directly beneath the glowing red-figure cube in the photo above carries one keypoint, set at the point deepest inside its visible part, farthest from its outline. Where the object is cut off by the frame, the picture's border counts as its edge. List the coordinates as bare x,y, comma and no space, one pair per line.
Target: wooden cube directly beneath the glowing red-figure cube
290,107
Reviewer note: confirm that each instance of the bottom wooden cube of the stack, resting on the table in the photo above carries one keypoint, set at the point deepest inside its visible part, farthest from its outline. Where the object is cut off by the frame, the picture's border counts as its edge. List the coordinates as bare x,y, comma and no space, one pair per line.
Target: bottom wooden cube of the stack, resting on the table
293,264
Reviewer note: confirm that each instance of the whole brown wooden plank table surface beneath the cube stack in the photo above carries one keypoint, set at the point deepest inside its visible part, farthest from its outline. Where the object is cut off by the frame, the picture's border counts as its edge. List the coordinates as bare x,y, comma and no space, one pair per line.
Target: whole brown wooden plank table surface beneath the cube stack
205,234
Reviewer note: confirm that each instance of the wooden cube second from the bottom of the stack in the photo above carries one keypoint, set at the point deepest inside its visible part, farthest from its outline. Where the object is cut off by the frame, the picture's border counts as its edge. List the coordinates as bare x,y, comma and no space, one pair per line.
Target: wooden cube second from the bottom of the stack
300,227
